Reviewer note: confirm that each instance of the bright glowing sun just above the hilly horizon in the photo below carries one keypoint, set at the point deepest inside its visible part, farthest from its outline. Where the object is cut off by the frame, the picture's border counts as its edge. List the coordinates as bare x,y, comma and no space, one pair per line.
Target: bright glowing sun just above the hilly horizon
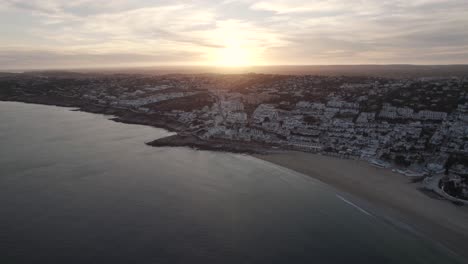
234,56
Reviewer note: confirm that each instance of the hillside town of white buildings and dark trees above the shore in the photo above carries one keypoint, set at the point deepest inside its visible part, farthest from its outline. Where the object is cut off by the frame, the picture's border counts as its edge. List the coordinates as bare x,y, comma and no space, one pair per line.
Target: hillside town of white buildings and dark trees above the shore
417,126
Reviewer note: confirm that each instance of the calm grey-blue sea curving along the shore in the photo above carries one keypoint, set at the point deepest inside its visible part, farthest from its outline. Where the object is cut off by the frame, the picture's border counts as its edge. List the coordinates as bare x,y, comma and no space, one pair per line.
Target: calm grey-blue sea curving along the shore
78,188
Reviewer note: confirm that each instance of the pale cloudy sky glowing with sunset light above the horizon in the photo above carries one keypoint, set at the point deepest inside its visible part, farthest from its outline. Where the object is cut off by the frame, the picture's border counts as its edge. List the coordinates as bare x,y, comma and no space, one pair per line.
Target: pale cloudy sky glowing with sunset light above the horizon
97,33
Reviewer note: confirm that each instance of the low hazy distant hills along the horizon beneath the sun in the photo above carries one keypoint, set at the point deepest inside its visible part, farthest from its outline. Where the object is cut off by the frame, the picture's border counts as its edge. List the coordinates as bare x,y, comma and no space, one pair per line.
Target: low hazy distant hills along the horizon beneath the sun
392,71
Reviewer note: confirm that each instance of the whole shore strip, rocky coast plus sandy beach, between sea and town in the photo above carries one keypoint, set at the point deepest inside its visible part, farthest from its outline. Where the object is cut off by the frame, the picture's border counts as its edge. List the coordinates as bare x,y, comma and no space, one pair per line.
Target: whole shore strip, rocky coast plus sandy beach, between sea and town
392,193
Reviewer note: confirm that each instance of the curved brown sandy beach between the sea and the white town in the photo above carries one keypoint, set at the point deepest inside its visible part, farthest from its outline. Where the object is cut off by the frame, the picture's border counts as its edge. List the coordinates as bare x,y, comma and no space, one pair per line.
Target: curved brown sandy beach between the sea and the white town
394,194
